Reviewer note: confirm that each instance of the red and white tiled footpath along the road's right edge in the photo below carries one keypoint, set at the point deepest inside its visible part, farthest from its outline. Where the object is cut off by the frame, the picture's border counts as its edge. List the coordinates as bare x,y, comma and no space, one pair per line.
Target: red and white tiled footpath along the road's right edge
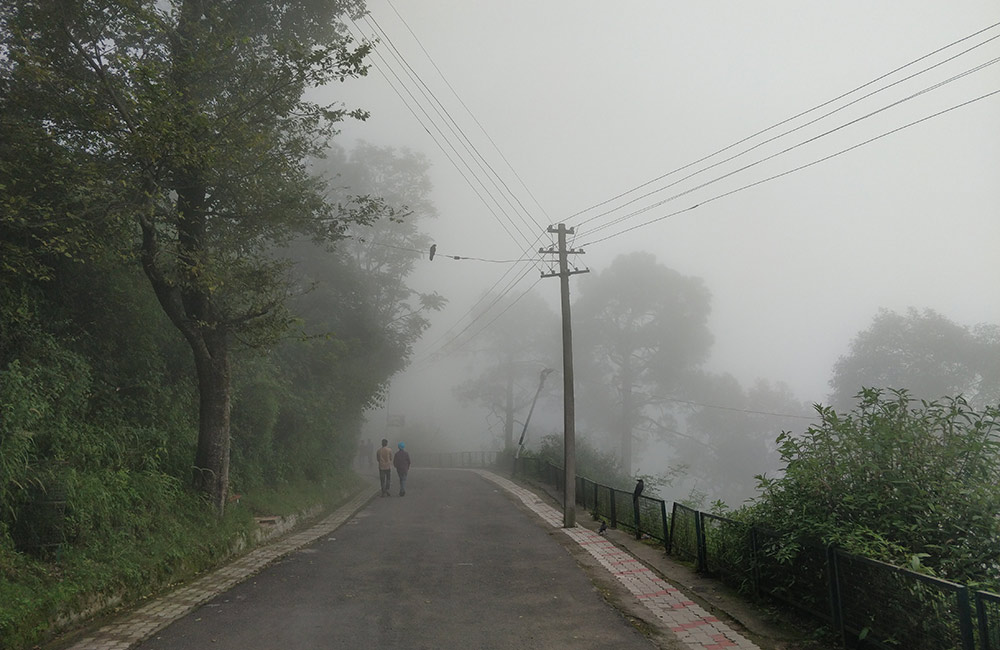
692,624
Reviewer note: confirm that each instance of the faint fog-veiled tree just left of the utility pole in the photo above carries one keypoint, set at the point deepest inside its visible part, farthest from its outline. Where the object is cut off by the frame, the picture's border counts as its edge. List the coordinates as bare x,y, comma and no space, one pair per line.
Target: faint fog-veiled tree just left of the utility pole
506,361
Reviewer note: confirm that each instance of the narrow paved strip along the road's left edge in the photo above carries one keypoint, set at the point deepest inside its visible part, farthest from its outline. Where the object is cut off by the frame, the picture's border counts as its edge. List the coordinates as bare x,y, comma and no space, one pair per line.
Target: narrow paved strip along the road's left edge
145,621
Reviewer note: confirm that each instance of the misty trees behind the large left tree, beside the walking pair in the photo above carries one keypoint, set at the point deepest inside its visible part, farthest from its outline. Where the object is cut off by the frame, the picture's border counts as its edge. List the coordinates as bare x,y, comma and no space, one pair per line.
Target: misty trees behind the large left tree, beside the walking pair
358,318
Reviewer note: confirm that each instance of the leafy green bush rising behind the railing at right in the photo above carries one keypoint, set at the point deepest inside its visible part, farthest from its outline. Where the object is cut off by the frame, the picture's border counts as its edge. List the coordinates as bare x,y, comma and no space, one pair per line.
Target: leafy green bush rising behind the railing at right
895,480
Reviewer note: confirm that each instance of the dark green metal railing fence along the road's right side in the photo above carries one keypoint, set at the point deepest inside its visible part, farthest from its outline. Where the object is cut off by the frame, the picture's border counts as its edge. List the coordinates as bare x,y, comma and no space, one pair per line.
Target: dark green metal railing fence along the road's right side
869,604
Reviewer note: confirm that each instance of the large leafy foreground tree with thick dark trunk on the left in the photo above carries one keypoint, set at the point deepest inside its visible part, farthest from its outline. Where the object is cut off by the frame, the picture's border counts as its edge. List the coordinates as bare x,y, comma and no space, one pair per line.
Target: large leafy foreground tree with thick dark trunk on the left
189,117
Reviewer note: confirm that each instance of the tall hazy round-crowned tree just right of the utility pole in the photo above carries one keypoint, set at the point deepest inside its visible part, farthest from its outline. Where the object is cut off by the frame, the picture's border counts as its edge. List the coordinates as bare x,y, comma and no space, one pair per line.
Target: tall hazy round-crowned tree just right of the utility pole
642,326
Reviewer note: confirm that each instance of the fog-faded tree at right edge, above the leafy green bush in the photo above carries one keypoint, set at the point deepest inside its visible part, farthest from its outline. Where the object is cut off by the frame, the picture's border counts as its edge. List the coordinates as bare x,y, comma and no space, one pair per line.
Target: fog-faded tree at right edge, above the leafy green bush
924,353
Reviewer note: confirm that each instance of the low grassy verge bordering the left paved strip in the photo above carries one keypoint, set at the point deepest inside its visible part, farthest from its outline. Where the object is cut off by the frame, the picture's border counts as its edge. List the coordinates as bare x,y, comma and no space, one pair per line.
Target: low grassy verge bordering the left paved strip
171,541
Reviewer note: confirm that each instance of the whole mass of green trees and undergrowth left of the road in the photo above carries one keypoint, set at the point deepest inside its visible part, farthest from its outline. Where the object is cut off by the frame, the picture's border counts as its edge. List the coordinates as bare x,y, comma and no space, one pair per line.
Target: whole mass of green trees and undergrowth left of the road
194,303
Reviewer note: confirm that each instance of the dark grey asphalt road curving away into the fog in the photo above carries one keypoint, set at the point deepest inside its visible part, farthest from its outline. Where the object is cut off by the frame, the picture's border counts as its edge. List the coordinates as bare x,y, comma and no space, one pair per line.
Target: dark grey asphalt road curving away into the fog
456,563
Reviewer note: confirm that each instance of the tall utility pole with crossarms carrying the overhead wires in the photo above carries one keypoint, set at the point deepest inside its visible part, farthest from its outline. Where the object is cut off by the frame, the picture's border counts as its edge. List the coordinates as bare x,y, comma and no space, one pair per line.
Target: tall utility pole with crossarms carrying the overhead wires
569,406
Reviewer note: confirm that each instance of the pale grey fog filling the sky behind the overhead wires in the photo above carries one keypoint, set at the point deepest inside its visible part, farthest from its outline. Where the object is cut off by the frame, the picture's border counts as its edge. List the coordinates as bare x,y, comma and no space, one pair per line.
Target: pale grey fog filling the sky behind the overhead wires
822,208
